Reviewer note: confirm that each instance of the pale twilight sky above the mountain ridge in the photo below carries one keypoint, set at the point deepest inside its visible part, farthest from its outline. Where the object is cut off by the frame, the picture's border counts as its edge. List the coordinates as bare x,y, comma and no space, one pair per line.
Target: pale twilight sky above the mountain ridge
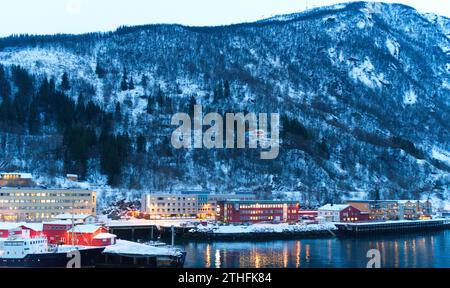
80,16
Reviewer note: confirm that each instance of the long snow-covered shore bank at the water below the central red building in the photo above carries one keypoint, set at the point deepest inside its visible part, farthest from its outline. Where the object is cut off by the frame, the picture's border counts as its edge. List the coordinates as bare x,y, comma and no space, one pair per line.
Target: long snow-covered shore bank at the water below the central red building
263,228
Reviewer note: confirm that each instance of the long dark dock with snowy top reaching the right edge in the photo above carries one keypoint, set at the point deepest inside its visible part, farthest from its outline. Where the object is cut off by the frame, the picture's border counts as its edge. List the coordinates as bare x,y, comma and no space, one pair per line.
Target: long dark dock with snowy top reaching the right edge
355,229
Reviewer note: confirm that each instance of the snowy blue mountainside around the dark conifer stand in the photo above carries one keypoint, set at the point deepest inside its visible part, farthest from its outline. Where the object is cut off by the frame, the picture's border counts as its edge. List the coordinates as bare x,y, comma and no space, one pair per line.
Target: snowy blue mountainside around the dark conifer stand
367,84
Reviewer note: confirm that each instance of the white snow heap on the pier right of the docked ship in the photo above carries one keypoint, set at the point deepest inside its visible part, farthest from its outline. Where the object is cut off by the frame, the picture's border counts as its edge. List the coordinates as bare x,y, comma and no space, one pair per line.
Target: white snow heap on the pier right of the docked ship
131,248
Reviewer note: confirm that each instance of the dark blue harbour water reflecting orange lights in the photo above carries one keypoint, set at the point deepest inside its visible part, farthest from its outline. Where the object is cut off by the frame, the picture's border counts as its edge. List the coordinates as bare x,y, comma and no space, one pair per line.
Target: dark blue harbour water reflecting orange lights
426,250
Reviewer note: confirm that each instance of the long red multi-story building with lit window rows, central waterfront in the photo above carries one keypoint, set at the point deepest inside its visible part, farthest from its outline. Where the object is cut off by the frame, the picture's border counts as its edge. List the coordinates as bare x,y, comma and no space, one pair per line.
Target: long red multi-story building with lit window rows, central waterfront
236,211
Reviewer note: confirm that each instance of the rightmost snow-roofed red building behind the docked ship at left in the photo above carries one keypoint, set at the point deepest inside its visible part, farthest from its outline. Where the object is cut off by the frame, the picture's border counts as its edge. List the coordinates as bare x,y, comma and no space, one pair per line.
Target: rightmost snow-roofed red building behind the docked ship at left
90,235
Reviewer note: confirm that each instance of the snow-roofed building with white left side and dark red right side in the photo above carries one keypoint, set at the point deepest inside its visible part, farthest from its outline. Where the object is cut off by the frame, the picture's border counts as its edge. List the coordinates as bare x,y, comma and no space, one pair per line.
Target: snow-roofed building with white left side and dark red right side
342,213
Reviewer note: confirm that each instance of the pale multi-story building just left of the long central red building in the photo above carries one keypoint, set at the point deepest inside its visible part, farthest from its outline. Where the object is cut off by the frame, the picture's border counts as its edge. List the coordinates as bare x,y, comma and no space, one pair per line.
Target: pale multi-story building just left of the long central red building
186,205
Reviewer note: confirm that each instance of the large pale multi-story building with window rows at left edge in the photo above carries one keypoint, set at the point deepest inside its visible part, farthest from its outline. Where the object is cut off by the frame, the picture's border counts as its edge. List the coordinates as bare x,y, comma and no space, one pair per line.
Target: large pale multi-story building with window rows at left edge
38,204
